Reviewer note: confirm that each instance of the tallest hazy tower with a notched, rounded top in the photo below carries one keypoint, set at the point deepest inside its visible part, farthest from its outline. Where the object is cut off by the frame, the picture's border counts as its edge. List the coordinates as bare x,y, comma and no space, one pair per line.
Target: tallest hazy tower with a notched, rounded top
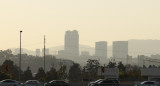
71,43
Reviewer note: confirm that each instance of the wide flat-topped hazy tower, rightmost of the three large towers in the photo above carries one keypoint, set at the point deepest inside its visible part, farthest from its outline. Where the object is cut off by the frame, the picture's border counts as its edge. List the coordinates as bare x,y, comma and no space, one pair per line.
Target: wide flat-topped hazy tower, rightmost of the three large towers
120,51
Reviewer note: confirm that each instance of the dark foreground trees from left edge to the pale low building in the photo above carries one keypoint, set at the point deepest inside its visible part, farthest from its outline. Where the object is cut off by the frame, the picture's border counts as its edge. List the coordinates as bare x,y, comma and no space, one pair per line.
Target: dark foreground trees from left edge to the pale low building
76,73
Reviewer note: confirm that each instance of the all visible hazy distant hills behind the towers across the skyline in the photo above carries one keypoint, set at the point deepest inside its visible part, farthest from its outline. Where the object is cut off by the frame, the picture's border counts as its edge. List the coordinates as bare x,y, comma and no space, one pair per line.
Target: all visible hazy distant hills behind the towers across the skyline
135,47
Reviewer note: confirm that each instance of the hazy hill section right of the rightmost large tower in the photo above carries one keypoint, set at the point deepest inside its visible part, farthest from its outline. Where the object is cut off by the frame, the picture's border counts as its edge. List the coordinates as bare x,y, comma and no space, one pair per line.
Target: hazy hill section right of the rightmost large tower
143,47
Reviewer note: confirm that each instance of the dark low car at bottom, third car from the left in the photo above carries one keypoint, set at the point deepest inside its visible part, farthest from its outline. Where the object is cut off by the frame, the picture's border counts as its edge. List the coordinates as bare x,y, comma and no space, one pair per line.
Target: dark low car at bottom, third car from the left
56,83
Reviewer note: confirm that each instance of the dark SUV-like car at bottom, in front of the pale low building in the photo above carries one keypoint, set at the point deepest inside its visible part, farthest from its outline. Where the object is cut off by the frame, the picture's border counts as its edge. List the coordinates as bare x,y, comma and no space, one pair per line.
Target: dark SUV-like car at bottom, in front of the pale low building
105,83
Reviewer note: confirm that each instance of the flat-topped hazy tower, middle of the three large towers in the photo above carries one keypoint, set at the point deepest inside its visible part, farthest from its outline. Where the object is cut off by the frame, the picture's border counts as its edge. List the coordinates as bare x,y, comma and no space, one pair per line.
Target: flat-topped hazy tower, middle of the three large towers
101,49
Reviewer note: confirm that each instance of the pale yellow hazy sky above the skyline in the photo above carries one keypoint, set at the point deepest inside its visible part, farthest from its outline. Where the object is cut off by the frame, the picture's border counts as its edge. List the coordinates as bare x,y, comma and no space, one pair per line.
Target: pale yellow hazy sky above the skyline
96,20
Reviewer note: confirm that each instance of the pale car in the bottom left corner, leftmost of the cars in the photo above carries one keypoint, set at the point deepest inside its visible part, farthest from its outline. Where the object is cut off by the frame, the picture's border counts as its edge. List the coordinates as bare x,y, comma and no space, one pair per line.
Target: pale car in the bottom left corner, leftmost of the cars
9,82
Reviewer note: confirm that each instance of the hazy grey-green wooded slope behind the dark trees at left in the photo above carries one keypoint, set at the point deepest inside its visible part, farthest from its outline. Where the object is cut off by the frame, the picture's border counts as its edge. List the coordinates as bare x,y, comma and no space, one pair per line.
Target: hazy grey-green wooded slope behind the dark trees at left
34,62
